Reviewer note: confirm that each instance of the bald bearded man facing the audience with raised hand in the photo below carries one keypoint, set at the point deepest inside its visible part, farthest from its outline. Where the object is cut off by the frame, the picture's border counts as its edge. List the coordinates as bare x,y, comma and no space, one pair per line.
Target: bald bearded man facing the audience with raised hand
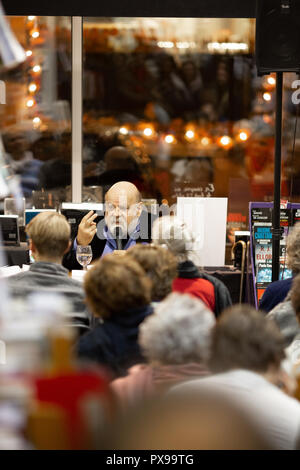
121,228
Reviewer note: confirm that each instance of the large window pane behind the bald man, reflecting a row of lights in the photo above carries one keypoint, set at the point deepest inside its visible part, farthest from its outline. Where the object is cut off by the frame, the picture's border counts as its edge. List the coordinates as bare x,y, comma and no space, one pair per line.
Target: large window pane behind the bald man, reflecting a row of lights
184,99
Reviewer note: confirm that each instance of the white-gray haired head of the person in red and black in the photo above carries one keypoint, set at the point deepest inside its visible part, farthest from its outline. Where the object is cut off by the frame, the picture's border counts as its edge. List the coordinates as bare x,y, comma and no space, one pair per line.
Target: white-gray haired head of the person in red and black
172,232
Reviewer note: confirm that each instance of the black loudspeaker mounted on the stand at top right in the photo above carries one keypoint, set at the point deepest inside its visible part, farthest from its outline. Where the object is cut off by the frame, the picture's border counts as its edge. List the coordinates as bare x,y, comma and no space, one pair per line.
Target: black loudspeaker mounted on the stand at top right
277,36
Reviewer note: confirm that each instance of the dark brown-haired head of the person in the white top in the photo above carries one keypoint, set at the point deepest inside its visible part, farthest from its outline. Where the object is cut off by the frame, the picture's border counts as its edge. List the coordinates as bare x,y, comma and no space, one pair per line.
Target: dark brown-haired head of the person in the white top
244,339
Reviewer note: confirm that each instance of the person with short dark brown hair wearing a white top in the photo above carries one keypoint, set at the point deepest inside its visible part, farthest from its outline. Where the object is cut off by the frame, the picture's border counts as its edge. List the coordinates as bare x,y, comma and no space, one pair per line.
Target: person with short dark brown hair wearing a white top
246,354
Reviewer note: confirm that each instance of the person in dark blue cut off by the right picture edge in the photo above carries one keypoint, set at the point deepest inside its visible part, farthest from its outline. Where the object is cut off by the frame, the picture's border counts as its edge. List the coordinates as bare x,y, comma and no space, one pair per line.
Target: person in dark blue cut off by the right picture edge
277,291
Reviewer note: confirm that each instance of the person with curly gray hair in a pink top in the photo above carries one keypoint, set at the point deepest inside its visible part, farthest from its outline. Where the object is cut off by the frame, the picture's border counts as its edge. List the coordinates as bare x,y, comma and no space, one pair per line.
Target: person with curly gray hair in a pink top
175,340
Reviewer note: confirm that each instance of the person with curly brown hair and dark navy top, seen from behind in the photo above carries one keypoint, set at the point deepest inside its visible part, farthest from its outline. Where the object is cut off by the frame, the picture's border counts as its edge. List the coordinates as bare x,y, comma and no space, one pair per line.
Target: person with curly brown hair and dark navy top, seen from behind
118,293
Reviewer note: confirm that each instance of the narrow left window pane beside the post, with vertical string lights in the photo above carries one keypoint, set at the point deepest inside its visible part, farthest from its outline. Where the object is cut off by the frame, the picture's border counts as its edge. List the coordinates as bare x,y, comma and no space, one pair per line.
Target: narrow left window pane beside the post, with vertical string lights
36,119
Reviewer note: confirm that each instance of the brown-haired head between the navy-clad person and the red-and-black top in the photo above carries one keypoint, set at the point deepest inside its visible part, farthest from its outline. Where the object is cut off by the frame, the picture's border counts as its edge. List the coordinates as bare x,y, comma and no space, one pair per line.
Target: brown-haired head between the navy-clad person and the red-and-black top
160,266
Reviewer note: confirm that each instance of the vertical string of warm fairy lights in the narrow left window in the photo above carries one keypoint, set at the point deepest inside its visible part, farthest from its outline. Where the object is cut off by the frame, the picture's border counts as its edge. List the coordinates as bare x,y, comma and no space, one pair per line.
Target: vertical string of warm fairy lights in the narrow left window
35,70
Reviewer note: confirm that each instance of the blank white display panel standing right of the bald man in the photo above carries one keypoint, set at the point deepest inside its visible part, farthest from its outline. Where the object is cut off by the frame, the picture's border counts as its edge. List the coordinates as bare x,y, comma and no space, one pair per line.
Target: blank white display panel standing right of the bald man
206,217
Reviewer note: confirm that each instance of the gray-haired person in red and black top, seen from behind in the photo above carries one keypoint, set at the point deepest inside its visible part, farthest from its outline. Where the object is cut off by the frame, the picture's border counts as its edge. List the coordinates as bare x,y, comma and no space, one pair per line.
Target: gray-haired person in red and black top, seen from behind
171,232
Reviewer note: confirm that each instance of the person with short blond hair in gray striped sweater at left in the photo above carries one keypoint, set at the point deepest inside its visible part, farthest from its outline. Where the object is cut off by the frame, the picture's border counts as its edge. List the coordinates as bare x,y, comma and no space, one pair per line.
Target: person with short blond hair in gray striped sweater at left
49,239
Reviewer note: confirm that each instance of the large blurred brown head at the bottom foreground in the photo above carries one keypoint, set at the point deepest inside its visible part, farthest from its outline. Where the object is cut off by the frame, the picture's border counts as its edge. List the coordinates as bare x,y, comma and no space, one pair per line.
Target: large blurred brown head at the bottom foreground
198,422
